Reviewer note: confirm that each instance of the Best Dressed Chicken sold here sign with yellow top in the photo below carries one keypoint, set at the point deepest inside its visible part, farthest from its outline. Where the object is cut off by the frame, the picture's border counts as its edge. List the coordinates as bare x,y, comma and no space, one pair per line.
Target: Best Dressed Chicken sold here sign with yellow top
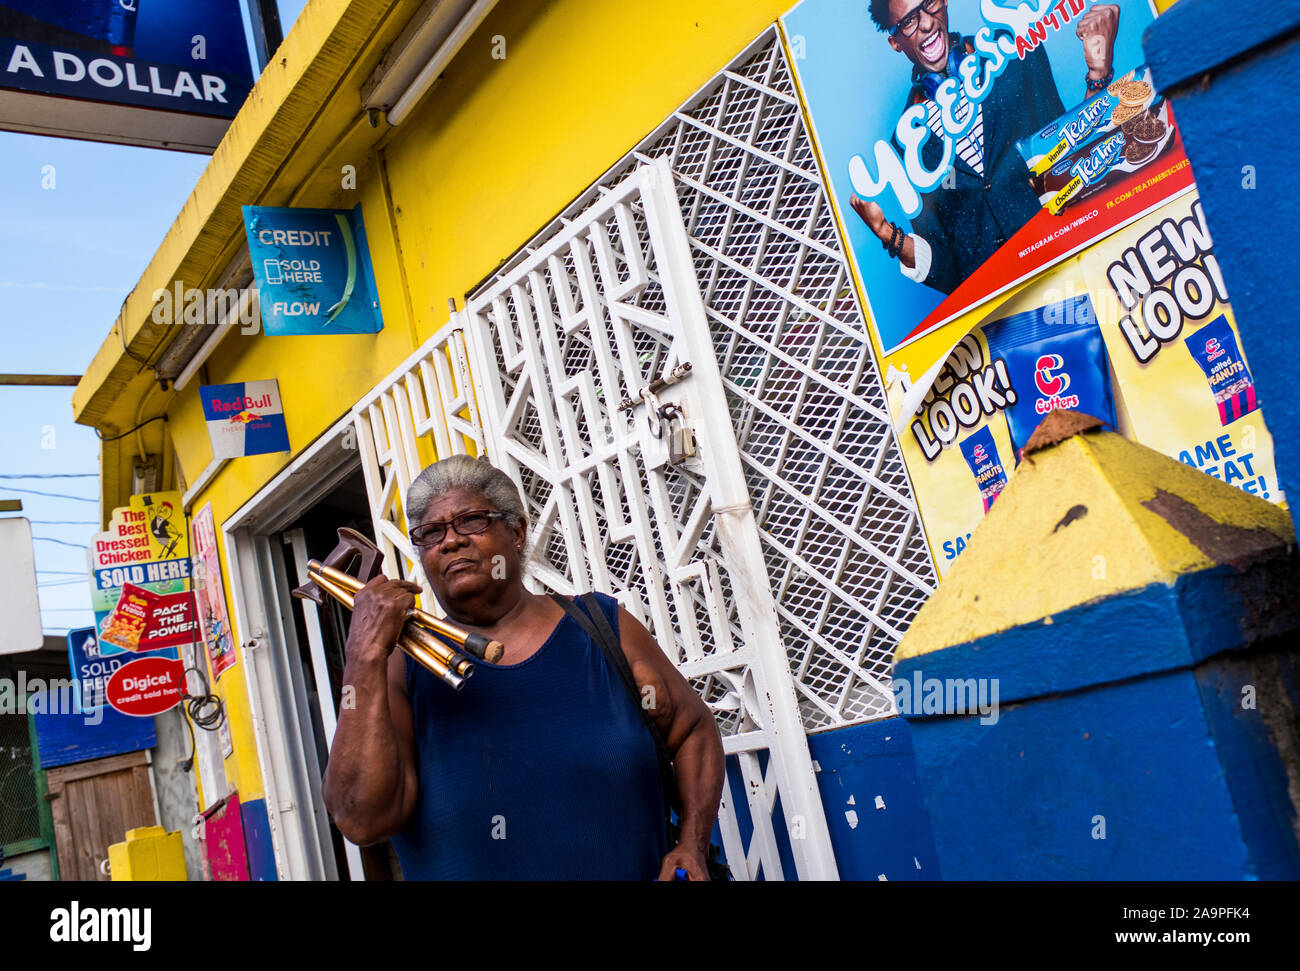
145,547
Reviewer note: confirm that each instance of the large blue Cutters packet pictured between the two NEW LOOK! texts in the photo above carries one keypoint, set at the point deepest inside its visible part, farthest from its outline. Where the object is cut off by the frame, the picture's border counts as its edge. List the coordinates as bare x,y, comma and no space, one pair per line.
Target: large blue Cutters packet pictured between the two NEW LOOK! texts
1058,362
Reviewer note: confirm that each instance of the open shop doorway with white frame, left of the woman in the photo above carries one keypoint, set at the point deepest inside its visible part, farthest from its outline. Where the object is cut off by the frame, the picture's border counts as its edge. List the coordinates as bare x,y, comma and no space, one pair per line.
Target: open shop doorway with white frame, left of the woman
294,651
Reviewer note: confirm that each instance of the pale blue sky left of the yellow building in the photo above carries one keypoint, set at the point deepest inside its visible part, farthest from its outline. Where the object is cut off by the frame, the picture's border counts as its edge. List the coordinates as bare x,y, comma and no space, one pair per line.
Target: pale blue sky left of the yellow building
70,255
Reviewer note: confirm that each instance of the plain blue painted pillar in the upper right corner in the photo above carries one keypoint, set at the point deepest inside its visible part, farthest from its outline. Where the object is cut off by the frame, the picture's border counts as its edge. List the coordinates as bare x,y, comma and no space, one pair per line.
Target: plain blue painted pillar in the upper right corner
1229,70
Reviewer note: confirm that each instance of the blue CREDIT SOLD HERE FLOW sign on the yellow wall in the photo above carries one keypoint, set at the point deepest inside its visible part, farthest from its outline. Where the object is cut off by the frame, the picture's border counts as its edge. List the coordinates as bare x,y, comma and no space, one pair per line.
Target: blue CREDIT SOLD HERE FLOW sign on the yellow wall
313,270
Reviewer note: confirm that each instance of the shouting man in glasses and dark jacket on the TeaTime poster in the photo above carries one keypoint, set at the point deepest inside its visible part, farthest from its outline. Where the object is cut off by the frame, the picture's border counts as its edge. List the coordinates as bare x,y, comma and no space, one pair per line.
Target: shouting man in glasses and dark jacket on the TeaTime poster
987,197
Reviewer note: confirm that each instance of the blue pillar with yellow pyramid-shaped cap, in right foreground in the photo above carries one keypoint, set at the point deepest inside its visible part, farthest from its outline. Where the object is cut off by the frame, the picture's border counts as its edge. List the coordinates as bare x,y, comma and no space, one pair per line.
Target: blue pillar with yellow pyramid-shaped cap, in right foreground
1106,686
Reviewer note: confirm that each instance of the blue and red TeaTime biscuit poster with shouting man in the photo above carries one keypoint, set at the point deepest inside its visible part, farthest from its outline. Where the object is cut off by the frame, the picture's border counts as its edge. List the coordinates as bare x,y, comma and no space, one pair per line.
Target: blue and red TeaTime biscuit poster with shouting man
967,151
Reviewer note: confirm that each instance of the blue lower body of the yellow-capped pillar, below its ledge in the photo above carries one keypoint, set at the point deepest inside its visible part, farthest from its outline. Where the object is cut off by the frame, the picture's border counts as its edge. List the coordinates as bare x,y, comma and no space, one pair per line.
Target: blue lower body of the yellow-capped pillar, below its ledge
1162,778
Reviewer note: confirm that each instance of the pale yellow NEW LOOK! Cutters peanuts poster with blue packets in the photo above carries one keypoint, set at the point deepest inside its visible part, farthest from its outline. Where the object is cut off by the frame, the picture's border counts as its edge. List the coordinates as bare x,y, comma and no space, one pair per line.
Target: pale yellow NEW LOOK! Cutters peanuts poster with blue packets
1137,331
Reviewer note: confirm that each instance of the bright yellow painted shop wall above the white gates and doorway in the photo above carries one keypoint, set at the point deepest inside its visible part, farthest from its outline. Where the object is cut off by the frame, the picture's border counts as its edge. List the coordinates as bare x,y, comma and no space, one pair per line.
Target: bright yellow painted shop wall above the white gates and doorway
493,154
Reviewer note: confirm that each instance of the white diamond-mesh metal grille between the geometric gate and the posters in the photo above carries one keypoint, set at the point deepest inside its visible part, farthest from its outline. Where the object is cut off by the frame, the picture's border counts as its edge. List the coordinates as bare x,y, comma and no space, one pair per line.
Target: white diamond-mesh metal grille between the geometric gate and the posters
839,526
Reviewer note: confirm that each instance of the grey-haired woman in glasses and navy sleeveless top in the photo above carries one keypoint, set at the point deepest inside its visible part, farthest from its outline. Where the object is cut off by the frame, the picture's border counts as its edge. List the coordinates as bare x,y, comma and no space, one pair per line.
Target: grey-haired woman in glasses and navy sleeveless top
541,768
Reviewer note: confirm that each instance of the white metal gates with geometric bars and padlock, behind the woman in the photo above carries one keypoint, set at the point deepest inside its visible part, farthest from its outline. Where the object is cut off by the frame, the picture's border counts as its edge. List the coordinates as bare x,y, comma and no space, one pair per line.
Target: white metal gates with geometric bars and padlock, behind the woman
579,354
